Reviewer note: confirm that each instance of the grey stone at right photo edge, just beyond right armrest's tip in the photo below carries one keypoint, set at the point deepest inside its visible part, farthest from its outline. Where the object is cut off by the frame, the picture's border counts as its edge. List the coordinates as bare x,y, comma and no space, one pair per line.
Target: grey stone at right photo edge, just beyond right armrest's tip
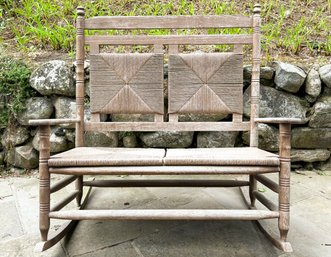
321,113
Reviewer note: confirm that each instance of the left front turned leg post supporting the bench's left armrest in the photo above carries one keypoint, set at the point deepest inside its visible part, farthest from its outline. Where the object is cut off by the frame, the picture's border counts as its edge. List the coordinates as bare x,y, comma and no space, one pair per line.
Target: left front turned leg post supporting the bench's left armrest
44,182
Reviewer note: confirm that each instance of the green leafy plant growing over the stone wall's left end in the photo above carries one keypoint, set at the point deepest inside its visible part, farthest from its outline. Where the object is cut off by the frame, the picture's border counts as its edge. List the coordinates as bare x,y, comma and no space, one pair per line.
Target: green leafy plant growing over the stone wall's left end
14,88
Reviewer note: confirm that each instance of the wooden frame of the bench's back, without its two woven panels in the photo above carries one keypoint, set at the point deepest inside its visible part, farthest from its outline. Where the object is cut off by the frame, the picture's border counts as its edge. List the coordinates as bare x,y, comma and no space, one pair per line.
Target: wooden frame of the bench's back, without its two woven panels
173,40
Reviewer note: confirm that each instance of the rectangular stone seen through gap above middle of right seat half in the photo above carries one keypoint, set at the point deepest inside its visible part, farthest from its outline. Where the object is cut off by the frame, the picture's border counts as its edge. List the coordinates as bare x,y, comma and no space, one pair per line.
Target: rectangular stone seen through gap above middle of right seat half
217,139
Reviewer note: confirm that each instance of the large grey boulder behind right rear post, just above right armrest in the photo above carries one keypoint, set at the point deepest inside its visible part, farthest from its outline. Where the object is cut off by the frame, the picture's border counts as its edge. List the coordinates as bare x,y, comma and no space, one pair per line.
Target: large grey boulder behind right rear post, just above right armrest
275,103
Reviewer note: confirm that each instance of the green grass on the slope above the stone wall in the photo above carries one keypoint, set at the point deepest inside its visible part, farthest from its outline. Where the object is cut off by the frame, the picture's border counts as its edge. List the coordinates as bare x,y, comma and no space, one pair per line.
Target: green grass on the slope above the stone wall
288,27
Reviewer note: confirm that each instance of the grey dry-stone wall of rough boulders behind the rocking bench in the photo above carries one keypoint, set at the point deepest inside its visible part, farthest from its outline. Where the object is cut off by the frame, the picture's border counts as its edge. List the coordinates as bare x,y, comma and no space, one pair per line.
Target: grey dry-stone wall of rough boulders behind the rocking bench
286,91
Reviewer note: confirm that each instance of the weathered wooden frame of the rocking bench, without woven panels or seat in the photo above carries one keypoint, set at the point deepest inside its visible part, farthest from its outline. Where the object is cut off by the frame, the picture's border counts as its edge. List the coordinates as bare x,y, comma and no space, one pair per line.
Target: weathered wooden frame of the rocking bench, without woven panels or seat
255,171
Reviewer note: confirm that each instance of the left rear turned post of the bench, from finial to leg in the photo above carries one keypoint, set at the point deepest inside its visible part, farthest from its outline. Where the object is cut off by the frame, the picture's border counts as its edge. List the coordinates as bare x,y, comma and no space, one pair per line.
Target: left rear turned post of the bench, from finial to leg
80,55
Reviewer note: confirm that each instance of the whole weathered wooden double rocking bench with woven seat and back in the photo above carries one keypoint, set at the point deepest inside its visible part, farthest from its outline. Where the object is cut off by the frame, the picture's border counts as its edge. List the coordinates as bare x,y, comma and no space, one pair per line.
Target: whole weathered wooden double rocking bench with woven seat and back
198,83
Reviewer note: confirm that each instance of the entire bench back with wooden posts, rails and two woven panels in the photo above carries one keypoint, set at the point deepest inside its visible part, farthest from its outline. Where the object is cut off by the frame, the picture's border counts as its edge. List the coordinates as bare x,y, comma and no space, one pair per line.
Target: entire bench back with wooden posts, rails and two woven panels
199,83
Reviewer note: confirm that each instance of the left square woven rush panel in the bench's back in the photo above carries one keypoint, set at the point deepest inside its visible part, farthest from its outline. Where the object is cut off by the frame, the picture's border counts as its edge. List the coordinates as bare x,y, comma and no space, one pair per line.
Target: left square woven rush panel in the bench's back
126,83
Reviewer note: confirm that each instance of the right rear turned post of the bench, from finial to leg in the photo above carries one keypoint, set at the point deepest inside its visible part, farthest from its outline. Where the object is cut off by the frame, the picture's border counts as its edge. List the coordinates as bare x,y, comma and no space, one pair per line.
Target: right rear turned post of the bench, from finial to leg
255,91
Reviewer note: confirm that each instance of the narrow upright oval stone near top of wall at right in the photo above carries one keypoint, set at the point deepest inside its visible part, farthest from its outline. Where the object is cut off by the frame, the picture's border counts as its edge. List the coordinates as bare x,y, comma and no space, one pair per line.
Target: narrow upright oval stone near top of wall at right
313,86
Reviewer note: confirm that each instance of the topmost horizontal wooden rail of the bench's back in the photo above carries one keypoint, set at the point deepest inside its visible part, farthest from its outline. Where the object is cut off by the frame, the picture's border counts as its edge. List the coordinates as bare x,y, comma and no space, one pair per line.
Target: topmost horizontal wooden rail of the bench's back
167,22
